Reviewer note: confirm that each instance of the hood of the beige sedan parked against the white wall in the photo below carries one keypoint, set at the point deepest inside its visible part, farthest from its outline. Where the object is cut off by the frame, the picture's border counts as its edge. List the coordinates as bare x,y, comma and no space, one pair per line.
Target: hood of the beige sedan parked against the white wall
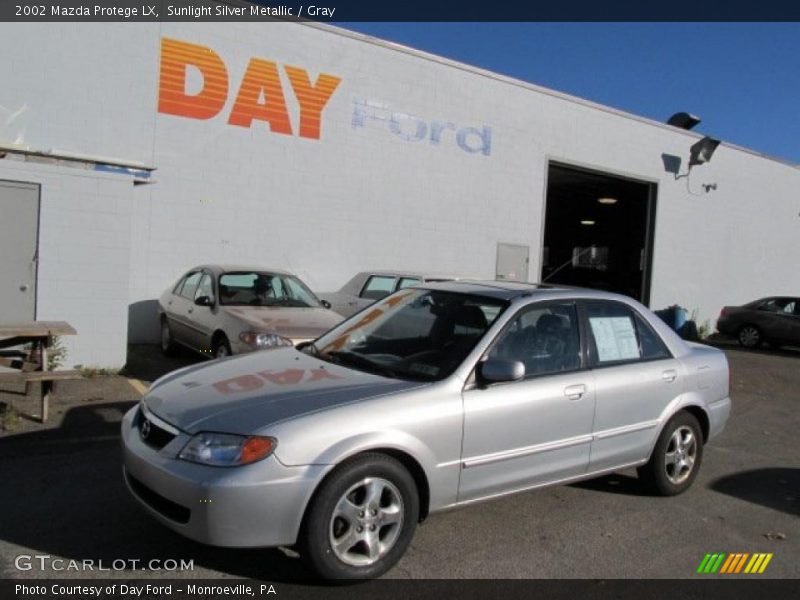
293,323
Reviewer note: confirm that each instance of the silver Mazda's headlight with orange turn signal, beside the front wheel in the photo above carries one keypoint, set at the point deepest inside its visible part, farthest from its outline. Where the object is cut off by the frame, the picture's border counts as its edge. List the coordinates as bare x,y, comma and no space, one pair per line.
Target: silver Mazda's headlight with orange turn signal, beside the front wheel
227,450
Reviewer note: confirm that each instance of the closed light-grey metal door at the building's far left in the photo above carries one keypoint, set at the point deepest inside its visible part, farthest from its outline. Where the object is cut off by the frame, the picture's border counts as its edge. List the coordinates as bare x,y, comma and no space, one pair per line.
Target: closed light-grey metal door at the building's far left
19,233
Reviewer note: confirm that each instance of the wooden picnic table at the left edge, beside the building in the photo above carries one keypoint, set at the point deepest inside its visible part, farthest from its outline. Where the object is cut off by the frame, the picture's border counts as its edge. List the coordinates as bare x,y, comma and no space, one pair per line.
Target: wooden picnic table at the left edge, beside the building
31,365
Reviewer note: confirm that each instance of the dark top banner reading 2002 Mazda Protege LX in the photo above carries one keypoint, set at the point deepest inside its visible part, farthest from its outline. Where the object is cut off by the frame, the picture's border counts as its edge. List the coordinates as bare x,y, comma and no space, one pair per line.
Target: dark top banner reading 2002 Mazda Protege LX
332,11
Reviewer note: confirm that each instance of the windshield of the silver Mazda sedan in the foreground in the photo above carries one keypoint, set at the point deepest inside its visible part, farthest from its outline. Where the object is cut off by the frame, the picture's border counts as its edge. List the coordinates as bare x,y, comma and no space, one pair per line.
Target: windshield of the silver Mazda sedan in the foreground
413,334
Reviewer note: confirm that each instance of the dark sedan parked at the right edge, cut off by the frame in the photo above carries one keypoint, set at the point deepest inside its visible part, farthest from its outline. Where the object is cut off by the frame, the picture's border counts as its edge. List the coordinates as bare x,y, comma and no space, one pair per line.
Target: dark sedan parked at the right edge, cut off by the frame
774,320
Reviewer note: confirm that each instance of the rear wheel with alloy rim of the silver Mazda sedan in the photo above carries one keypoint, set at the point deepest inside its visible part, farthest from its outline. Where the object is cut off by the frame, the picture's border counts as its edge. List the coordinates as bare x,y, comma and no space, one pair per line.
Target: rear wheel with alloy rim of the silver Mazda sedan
676,458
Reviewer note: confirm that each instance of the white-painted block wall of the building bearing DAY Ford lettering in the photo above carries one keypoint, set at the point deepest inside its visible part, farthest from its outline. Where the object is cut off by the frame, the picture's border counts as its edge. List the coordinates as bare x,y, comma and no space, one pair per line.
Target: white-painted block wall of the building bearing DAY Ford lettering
365,195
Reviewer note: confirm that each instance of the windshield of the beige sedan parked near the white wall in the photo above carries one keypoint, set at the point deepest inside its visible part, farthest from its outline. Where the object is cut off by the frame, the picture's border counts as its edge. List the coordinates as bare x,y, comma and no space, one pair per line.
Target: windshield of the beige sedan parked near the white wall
252,288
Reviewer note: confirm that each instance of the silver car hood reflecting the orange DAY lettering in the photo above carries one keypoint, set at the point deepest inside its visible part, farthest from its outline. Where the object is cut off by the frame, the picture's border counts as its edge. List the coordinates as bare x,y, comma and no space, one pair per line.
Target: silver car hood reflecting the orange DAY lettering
247,393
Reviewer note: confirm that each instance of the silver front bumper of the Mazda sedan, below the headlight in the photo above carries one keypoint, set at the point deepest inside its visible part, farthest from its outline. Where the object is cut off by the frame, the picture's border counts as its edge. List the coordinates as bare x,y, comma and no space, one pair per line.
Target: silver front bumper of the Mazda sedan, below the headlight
256,505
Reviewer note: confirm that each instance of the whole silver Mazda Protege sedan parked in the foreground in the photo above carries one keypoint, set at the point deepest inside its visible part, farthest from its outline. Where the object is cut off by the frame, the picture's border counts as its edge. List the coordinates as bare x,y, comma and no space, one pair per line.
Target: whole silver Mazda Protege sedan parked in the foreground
432,398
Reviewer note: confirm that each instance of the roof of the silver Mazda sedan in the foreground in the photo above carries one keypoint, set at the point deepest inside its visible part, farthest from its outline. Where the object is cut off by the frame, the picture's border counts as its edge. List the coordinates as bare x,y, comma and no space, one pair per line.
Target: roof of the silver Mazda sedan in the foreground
510,290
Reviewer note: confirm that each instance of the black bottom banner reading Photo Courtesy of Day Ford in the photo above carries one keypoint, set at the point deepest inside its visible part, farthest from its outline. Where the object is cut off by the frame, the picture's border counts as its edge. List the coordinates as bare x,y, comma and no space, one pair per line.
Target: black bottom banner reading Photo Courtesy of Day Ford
738,588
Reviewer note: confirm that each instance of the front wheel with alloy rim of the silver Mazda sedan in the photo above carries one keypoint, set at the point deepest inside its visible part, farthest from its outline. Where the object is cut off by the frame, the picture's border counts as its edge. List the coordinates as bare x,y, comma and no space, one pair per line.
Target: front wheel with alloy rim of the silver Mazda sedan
361,519
